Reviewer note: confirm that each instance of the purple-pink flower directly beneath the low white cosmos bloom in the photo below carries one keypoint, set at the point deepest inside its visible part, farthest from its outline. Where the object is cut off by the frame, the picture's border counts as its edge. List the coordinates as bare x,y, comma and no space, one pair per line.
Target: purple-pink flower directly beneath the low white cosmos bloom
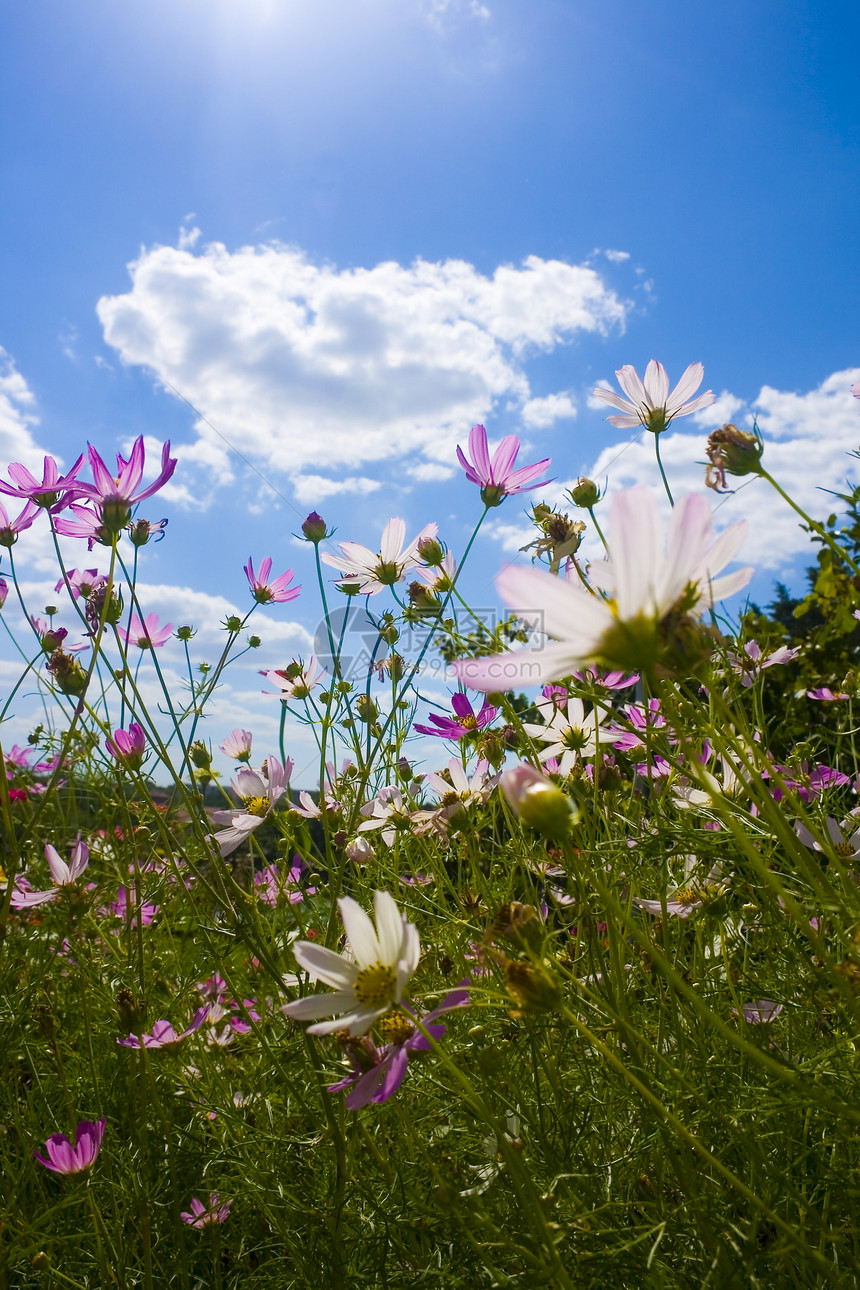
378,1073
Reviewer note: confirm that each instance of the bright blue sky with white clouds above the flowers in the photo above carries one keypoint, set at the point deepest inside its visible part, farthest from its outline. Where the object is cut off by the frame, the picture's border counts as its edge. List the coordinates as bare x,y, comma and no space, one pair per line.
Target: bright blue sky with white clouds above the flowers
359,226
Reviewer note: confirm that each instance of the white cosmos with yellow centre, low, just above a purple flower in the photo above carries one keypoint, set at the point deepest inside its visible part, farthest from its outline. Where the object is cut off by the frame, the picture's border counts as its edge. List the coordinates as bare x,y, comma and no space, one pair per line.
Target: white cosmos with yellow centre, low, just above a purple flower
369,977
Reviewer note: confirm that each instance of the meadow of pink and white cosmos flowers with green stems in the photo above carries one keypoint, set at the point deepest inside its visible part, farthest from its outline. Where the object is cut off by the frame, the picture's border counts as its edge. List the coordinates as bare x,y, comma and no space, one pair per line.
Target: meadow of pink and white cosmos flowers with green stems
573,1004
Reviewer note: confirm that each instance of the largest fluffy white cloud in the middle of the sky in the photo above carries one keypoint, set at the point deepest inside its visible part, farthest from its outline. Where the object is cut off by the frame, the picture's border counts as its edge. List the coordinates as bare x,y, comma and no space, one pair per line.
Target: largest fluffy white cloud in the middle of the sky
300,364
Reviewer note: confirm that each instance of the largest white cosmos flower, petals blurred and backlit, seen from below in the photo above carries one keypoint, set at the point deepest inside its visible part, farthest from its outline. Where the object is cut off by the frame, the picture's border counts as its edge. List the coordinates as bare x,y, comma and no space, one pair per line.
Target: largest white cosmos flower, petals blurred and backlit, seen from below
645,580
